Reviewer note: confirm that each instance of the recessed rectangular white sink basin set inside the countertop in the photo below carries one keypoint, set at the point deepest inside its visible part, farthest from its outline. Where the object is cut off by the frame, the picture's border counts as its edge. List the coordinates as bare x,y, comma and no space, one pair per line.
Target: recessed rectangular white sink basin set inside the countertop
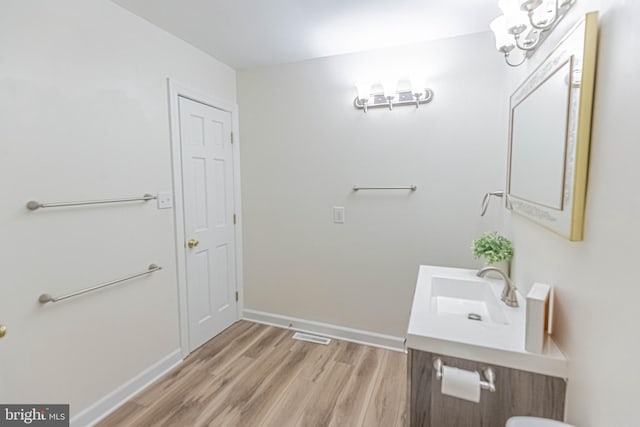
469,299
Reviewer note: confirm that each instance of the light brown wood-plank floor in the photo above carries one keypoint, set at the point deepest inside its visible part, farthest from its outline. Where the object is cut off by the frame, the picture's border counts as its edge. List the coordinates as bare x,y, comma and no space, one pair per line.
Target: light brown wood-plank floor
256,375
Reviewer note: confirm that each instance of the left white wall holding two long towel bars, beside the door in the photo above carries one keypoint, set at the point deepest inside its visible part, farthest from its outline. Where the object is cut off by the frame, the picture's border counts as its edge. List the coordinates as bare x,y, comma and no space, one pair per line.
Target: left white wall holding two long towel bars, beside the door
84,115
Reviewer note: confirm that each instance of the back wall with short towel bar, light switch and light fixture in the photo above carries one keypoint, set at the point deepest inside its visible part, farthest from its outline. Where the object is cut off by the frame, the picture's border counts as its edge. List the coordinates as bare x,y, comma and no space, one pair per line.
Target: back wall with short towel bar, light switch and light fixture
304,146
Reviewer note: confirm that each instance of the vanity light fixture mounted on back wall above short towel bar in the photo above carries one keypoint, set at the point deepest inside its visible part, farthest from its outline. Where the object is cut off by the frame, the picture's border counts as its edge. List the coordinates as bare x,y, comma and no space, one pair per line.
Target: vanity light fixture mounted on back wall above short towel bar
390,96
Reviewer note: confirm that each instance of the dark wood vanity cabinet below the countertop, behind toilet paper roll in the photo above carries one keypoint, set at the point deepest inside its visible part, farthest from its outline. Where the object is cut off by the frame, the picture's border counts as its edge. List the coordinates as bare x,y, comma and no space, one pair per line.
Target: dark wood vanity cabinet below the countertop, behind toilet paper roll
517,393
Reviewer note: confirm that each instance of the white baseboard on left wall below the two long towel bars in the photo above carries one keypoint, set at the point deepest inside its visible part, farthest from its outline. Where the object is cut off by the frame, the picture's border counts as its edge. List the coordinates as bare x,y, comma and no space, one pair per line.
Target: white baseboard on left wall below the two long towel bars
119,396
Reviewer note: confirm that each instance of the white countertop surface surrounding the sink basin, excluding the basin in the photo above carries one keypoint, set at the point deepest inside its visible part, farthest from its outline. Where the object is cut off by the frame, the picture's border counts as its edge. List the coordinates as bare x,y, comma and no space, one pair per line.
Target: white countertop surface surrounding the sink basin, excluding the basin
492,343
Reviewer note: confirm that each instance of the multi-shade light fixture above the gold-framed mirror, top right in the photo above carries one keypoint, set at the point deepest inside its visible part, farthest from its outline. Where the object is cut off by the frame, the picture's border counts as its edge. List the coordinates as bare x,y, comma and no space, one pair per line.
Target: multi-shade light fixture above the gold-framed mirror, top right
525,24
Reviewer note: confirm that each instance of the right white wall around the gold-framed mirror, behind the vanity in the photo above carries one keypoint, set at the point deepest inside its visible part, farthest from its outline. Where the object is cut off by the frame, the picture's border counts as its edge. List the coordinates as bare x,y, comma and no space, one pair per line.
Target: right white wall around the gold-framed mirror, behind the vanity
596,280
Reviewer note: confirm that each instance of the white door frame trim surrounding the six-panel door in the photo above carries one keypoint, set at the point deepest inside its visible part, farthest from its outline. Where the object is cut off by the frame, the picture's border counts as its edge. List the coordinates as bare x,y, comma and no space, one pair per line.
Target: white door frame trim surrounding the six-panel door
177,90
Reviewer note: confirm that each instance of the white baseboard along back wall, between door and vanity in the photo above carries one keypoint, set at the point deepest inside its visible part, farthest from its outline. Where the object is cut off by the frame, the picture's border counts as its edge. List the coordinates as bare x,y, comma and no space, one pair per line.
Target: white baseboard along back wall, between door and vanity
325,329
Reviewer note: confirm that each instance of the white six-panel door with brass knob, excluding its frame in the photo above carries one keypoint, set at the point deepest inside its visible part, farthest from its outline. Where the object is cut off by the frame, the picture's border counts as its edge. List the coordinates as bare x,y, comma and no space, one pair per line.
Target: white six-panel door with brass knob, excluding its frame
208,201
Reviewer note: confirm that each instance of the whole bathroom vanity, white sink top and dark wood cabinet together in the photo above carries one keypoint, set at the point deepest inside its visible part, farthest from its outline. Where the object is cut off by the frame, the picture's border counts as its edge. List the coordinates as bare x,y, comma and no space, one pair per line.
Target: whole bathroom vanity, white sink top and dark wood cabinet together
442,333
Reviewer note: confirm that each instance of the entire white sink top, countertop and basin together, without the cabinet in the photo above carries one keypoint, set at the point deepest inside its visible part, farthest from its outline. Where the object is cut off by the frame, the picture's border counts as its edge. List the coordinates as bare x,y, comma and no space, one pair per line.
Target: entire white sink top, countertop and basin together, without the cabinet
439,323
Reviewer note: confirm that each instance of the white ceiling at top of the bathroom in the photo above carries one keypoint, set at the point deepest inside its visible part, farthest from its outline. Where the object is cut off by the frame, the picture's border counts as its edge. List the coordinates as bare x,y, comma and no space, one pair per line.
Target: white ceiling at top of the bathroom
254,33
